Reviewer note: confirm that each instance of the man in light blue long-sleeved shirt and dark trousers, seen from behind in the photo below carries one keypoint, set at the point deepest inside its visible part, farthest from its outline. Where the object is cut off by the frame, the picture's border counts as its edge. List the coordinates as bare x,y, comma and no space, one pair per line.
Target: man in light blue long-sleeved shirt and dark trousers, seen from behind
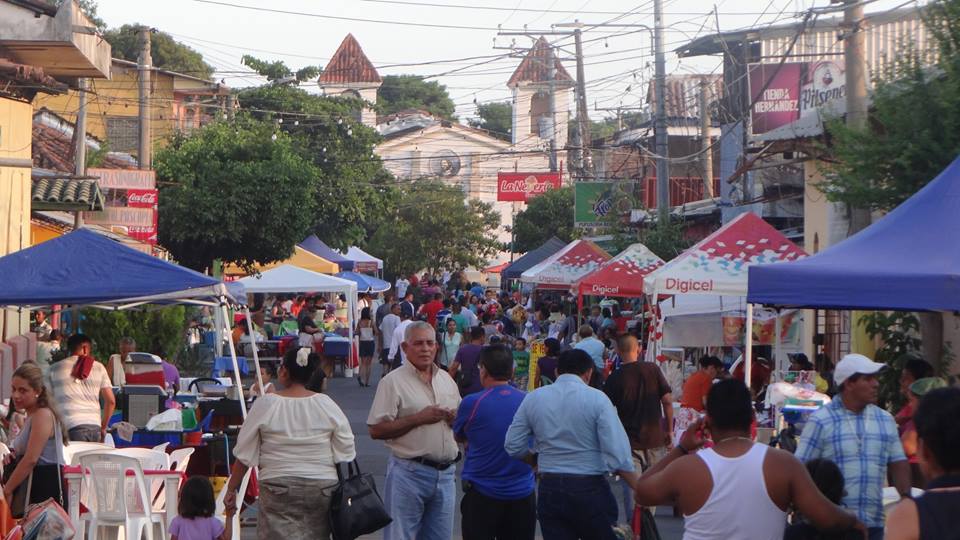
577,439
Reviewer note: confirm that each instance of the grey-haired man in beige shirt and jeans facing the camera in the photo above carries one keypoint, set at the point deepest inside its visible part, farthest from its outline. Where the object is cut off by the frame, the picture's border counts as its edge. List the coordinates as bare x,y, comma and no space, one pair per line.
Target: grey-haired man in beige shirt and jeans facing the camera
412,412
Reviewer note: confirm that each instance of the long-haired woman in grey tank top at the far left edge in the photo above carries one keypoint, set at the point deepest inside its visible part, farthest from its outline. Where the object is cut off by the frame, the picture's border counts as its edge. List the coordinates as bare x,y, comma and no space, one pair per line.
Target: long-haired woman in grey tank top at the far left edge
36,449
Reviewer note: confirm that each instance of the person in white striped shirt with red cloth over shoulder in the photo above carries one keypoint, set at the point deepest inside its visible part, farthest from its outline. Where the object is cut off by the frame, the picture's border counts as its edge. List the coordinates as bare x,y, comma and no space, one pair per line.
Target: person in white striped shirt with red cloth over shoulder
78,383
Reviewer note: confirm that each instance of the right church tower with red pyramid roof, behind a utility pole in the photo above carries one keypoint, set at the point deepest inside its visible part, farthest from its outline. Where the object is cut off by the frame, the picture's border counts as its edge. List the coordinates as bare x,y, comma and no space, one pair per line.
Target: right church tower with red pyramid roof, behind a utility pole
531,99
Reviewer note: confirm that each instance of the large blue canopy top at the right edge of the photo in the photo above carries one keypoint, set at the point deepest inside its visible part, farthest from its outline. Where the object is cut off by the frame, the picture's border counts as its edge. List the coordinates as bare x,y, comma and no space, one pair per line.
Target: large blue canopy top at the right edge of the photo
908,260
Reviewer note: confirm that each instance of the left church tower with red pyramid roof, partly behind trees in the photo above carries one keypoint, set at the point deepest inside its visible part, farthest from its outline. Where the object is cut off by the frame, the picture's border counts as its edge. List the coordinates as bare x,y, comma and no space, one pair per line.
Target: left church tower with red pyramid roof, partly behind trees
350,73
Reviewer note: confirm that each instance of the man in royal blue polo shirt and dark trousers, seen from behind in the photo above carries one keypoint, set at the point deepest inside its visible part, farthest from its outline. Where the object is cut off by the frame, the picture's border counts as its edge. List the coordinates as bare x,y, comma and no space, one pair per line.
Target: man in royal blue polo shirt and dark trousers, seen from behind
498,491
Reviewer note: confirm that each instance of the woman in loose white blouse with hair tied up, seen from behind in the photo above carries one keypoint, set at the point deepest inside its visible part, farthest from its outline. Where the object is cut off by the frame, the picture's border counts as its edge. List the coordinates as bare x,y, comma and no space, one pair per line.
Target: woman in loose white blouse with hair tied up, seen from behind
296,437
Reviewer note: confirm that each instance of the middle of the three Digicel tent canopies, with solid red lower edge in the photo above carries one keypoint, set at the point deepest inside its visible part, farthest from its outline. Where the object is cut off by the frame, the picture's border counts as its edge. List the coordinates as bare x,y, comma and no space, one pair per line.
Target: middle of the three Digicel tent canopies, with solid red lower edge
621,276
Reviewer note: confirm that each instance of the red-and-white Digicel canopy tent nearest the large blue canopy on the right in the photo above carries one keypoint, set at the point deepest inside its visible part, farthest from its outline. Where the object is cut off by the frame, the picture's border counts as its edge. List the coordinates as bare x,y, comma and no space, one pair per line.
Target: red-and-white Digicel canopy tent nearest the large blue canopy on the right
713,272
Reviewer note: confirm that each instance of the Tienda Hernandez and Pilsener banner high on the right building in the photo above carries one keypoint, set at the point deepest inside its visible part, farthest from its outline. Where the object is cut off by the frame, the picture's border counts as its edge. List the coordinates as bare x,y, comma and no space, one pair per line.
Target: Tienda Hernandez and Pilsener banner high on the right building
781,94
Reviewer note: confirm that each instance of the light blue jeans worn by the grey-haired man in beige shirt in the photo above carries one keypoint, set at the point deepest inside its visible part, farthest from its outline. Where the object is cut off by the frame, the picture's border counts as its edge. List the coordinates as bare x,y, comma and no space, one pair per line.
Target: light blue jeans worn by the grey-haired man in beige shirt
420,499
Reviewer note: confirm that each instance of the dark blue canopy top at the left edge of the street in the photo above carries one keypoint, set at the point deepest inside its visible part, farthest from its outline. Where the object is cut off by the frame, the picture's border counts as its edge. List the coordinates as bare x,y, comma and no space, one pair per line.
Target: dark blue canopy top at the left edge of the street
84,267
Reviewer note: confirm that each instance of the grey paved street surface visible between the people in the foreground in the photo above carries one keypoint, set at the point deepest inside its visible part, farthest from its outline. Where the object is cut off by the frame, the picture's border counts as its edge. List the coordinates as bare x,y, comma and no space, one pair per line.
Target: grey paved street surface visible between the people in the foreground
372,455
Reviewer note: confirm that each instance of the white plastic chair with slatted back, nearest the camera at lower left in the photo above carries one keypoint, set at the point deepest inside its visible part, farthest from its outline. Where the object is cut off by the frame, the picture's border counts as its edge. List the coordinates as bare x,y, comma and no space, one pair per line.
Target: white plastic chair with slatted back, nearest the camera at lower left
116,501
